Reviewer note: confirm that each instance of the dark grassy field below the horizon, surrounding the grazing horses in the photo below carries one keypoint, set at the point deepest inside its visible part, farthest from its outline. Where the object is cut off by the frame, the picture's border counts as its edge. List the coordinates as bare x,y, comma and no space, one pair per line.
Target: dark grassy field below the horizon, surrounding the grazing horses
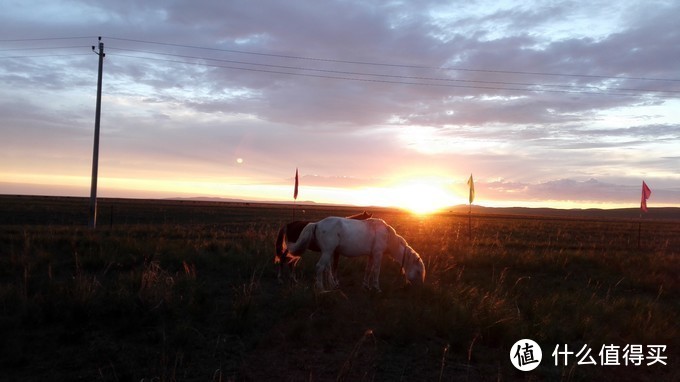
187,291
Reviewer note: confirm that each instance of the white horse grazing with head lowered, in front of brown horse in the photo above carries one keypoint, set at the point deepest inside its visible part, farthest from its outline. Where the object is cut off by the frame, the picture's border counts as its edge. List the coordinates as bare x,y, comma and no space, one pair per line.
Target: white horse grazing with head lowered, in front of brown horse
352,238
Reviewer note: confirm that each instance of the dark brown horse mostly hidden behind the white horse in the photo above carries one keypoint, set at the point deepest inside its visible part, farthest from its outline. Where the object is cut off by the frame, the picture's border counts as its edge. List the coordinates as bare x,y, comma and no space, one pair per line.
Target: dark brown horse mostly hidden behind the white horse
290,233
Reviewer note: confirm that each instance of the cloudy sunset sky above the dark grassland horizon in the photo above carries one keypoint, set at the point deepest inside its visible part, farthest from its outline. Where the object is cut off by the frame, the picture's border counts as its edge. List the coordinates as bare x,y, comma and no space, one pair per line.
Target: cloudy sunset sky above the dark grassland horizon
567,104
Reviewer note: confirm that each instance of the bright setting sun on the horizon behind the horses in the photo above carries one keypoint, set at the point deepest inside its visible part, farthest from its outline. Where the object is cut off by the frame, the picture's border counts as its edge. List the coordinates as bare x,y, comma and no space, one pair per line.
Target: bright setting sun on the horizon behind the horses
422,197
